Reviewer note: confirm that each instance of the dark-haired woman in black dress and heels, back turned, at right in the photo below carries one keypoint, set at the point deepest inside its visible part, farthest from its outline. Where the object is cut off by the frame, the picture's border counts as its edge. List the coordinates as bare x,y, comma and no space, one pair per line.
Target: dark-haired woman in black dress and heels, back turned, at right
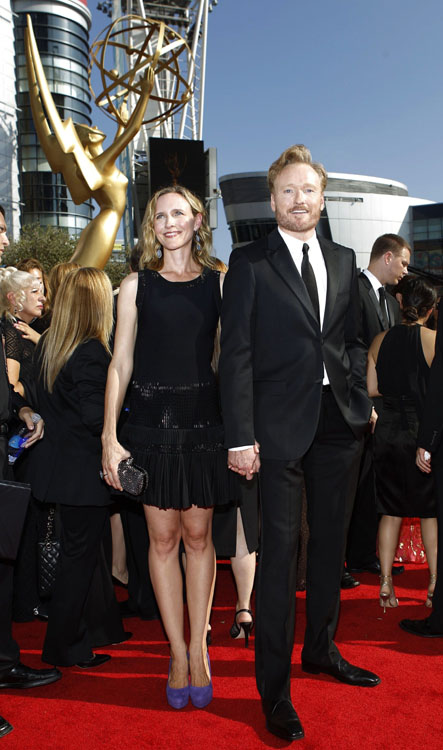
399,361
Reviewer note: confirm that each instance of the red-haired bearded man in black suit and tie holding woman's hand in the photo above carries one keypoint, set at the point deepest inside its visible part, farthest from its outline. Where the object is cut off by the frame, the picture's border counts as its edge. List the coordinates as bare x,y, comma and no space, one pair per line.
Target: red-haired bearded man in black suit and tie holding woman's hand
295,405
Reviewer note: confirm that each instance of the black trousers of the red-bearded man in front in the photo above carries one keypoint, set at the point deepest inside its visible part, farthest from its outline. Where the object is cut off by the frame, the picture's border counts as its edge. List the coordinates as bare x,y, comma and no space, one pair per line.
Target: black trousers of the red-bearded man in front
329,469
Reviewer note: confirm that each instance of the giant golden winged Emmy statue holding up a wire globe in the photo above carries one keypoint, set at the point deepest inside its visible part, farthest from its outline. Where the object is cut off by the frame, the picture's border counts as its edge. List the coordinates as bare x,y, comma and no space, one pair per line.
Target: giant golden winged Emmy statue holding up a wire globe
76,150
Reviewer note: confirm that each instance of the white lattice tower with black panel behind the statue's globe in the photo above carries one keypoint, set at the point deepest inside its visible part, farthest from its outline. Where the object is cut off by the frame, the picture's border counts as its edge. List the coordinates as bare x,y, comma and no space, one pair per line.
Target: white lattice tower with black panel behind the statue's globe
189,18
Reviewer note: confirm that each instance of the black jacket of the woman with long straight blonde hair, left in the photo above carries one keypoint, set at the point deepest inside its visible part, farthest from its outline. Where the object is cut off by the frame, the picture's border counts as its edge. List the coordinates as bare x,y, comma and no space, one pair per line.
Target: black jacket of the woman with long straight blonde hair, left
64,466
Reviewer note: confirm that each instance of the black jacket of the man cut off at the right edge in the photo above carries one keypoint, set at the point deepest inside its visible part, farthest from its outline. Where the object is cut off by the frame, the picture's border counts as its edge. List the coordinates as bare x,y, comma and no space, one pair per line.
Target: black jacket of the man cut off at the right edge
431,425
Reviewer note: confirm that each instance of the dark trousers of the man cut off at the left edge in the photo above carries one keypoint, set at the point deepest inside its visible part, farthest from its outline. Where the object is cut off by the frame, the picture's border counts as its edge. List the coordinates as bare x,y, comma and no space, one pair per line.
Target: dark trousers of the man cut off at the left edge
9,650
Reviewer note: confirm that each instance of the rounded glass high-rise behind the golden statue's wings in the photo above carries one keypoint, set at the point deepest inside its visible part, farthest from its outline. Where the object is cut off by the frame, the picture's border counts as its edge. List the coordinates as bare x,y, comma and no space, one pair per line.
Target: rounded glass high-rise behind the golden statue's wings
61,30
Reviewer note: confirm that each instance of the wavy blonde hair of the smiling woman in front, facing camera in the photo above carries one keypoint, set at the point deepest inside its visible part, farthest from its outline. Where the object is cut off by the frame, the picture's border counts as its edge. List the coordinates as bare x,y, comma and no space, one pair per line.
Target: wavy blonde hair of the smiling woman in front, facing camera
201,247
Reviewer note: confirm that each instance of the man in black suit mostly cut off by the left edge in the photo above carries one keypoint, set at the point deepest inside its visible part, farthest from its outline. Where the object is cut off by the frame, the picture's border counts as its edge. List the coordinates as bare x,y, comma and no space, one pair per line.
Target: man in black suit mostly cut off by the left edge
13,674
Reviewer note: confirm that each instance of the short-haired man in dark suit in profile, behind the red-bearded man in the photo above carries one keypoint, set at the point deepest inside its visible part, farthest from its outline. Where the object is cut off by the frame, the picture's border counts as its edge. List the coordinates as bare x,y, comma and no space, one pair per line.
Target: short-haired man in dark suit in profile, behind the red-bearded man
388,264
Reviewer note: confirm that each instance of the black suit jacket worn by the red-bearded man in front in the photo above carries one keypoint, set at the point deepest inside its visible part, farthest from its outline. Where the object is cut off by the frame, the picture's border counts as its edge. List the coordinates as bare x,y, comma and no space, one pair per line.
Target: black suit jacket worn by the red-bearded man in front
272,349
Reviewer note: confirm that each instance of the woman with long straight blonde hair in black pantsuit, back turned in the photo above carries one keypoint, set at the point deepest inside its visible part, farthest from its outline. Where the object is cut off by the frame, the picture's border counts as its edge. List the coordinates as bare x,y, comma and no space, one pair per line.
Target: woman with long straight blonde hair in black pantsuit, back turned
71,367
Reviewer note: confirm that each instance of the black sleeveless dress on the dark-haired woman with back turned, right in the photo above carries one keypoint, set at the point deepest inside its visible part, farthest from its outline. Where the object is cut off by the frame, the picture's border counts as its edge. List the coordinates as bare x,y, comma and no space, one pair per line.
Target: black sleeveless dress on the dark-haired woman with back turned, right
402,373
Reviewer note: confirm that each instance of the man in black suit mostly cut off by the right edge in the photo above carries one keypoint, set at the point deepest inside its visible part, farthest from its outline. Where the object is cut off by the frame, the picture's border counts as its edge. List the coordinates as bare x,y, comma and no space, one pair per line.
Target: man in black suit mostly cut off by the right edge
430,457
